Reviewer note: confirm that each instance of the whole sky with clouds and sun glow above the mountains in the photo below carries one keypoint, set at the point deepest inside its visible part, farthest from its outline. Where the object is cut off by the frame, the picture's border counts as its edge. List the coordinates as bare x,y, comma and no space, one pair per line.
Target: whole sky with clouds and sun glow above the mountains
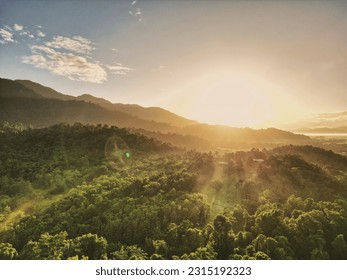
238,63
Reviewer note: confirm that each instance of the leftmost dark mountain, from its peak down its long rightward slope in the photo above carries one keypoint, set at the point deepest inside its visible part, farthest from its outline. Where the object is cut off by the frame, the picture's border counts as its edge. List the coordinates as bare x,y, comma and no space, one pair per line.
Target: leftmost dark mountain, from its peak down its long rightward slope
20,103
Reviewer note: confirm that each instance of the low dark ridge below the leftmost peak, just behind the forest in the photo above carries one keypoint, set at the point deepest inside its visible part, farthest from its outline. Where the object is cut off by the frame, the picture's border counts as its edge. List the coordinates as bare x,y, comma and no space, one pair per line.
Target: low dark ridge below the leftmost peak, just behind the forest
46,112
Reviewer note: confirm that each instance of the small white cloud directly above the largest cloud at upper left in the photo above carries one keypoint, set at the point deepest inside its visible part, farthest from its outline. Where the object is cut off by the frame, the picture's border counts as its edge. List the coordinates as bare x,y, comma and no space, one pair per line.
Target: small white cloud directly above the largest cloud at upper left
76,44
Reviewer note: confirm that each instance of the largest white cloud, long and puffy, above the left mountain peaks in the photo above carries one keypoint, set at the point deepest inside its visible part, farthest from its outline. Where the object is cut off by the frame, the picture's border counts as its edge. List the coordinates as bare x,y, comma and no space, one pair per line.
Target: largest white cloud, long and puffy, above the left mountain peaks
72,66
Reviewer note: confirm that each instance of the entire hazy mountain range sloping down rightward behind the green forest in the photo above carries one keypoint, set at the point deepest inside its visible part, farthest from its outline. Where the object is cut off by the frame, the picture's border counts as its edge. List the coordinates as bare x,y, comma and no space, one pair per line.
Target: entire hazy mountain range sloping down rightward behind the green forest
33,104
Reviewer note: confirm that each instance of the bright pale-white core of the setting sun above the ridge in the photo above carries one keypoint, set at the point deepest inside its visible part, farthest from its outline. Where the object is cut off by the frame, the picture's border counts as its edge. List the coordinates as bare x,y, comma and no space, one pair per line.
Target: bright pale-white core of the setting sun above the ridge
233,101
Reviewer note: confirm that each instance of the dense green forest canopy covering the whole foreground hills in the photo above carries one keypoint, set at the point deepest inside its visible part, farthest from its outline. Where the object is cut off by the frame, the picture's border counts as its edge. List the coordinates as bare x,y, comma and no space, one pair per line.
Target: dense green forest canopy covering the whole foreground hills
102,192
